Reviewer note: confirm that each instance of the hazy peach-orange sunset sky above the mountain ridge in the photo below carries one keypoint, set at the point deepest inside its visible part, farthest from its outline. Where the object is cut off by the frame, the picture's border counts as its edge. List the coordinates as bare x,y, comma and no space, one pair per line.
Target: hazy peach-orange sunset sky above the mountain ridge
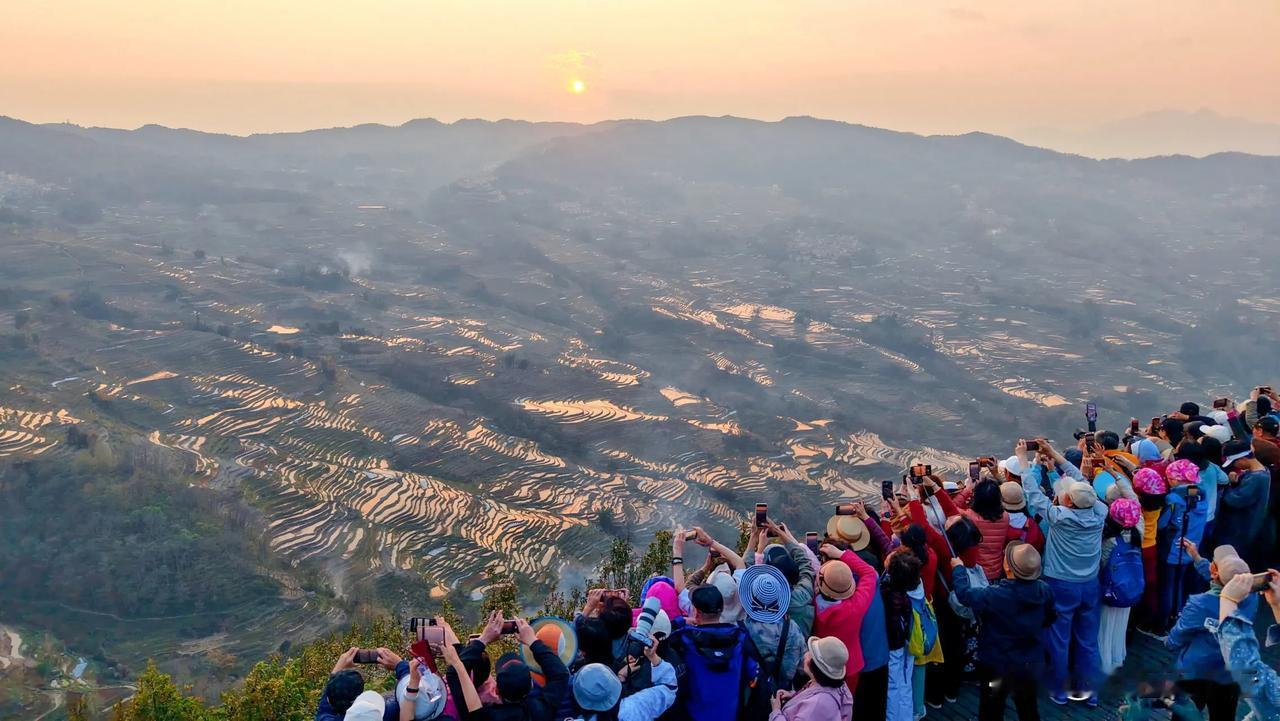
1002,66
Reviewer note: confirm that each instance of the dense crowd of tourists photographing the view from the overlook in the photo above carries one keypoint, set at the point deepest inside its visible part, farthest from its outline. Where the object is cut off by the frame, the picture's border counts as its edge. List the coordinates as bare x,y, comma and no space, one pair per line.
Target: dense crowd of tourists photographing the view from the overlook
1027,578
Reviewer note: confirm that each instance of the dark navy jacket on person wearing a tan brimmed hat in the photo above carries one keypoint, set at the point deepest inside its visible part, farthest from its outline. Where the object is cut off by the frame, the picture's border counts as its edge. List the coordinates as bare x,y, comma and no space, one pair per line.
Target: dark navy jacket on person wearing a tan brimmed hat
1013,615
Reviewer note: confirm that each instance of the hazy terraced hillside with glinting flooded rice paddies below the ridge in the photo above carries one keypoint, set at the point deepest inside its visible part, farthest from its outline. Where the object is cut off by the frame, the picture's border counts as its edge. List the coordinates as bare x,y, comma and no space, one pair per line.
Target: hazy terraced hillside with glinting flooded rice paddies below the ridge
394,359
